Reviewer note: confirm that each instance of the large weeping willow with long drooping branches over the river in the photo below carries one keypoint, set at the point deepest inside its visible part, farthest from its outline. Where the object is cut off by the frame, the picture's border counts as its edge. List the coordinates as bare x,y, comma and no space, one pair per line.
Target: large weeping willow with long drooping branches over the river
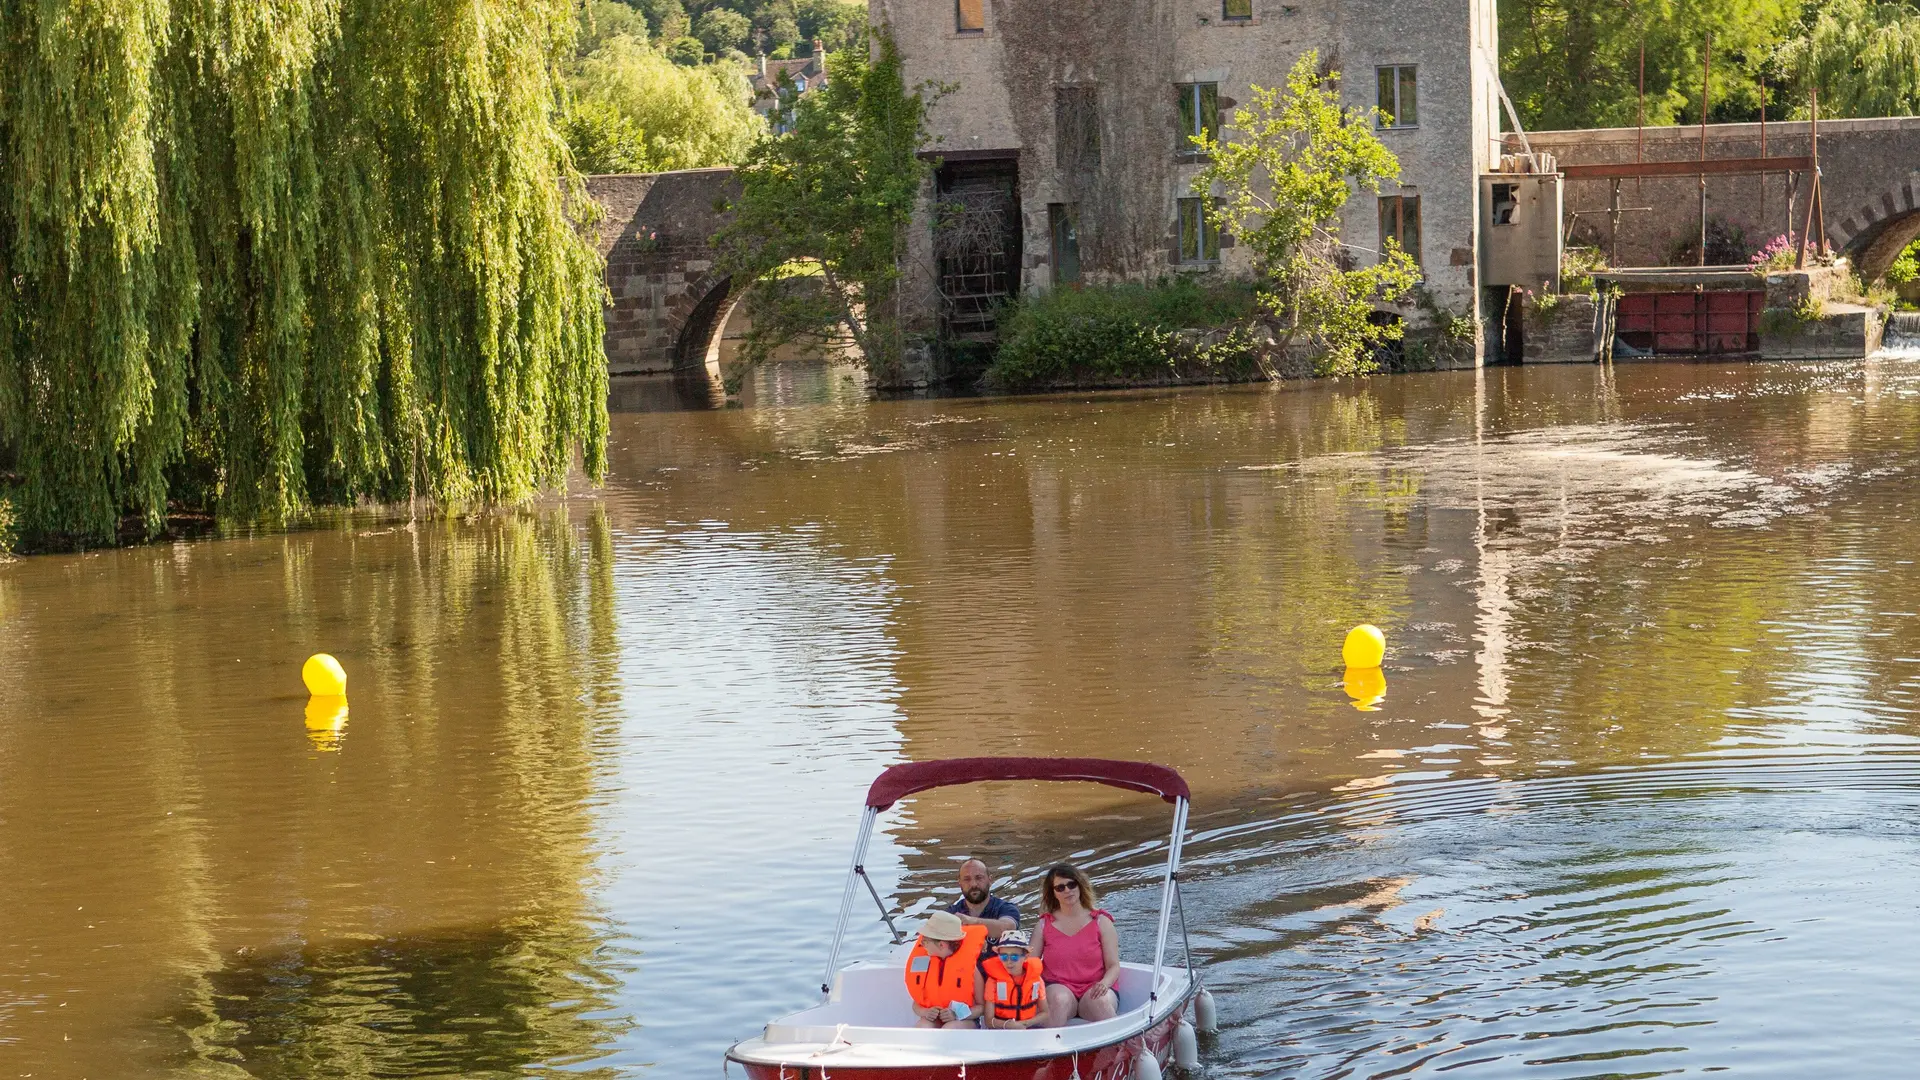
262,255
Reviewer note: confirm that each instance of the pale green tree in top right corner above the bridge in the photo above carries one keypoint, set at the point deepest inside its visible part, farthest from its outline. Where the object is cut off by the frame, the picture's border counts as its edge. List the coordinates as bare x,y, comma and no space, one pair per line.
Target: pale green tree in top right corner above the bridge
1863,57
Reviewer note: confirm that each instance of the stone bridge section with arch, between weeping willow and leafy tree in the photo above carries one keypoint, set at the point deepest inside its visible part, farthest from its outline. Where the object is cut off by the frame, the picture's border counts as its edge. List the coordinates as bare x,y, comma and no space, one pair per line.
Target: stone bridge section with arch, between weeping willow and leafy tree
669,305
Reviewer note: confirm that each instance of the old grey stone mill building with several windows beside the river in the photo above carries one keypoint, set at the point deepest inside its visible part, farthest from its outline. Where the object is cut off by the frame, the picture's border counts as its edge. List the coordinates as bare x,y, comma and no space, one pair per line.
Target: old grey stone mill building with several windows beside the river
1063,135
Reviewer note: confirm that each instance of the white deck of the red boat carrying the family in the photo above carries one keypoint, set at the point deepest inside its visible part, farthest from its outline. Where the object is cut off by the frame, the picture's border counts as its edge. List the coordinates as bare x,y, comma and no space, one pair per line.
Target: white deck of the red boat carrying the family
869,1021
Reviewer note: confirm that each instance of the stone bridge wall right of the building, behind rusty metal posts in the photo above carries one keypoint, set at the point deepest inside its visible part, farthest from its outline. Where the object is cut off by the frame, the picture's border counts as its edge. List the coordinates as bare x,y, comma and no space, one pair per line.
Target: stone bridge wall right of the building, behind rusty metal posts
1869,172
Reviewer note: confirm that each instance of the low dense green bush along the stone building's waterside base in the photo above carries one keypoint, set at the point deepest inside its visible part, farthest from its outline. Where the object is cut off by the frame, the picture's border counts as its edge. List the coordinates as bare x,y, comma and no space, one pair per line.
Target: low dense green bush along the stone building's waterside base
1126,333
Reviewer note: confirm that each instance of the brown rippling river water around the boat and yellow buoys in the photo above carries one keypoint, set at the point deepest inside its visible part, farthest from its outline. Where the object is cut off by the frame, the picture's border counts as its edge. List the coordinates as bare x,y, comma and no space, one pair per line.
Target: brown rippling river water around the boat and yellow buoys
1641,798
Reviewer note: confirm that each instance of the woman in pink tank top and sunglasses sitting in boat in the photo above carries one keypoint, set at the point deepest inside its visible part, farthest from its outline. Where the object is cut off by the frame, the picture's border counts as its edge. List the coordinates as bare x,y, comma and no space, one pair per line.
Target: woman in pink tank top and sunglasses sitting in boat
1080,946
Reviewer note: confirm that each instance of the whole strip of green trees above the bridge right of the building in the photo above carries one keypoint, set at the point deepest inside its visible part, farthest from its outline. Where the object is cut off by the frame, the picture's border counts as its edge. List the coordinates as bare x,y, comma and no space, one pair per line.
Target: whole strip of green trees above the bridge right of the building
1579,62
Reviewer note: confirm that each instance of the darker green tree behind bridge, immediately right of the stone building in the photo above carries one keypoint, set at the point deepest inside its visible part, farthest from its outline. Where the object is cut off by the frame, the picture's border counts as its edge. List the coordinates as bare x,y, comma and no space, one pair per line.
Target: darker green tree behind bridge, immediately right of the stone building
1577,62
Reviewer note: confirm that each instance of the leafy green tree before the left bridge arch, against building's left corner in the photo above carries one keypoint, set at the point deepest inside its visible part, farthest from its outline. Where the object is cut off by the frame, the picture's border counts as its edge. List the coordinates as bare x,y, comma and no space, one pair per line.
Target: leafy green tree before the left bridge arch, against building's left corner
832,195
